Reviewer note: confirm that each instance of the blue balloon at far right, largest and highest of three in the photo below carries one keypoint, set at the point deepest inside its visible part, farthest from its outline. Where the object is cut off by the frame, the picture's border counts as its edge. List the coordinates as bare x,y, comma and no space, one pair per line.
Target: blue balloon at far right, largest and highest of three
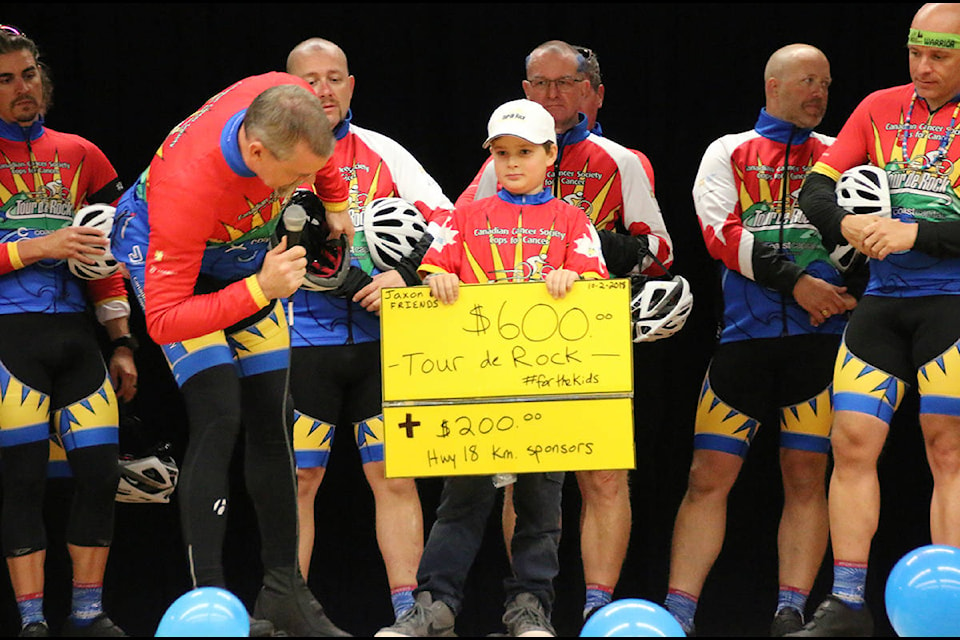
923,592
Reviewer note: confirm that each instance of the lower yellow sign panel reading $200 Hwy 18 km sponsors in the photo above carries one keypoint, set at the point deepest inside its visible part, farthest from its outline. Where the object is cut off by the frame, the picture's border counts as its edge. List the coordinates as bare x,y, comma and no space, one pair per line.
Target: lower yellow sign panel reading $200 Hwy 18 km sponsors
508,437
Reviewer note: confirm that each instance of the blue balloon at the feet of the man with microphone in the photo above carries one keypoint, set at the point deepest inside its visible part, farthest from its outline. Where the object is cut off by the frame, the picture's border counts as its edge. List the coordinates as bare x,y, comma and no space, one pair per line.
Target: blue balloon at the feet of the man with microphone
207,612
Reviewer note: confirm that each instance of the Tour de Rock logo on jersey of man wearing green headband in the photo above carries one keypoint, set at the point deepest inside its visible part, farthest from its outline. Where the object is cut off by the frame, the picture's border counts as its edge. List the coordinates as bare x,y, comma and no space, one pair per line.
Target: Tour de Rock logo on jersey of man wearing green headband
924,185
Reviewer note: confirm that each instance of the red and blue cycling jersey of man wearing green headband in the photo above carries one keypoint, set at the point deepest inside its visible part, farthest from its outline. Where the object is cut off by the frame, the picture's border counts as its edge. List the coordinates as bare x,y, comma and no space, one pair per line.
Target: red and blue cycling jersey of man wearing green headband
894,129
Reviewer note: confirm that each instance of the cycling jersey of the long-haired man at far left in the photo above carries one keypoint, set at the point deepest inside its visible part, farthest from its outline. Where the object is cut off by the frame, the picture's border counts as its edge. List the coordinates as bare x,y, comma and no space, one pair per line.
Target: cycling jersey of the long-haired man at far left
46,176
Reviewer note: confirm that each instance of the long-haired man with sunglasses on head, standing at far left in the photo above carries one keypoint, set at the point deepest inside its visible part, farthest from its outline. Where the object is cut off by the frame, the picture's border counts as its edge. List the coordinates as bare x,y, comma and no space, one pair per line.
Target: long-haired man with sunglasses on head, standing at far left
51,367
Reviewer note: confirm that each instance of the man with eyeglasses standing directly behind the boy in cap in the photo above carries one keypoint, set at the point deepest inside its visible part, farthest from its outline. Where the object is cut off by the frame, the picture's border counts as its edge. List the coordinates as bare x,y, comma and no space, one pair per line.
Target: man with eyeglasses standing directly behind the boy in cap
608,183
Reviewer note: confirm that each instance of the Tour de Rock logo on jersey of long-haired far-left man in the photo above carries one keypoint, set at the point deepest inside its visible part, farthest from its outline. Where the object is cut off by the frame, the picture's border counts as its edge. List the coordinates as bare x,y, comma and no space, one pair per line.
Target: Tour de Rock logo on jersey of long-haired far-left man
46,203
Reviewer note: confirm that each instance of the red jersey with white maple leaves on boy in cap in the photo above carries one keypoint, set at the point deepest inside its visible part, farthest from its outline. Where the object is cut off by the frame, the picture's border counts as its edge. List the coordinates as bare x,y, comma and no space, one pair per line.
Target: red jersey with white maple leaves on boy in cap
511,238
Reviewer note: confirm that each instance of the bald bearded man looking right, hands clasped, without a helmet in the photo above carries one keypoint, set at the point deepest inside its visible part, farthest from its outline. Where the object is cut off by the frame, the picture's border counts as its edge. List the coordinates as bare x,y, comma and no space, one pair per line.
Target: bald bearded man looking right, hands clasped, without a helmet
785,308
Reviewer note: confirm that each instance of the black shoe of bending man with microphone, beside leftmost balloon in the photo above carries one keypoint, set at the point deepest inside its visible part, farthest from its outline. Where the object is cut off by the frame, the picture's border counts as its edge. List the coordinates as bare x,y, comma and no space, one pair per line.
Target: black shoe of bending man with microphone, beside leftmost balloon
293,609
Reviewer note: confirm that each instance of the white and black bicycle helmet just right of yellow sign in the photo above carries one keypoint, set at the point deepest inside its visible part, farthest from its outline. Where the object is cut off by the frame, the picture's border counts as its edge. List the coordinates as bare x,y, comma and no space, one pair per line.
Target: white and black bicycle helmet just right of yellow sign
659,308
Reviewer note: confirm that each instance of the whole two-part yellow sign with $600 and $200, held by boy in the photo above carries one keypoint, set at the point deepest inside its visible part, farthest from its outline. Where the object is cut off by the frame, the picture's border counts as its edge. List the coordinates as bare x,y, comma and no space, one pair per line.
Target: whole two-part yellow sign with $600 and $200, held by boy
507,379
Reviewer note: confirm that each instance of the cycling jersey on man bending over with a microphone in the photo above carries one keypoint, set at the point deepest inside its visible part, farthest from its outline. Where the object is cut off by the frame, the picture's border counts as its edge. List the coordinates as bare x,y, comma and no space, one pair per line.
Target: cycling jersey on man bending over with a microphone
204,211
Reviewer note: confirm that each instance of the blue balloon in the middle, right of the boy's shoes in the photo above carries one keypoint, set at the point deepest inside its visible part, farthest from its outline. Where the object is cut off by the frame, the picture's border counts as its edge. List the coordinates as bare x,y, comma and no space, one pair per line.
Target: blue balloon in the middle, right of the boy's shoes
632,617
